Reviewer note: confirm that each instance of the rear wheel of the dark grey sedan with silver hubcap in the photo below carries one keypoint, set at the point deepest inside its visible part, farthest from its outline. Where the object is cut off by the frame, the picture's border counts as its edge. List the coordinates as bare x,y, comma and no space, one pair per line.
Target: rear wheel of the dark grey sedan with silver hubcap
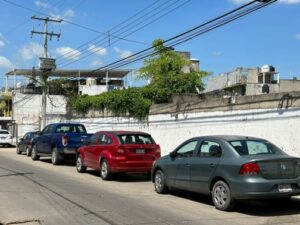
221,196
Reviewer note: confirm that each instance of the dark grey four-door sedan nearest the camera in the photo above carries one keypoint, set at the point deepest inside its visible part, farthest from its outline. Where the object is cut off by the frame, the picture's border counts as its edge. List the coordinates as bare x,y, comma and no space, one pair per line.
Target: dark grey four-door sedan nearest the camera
229,168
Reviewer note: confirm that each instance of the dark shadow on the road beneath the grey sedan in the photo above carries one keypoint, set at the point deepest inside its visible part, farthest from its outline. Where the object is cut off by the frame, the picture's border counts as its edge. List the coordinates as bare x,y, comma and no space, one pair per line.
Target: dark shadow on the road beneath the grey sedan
263,208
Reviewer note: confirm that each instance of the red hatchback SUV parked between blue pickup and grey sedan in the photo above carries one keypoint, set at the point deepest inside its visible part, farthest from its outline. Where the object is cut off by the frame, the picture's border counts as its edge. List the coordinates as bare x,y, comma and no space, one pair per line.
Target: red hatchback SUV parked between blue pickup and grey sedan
118,151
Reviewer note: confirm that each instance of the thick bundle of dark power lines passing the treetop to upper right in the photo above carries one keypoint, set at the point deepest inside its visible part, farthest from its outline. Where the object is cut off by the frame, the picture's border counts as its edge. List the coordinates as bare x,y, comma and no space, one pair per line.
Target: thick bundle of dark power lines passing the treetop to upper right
191,33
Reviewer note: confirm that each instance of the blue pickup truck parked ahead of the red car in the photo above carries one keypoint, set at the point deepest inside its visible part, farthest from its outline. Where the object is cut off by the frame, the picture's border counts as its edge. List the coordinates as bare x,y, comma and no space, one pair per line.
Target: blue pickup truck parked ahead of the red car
59,140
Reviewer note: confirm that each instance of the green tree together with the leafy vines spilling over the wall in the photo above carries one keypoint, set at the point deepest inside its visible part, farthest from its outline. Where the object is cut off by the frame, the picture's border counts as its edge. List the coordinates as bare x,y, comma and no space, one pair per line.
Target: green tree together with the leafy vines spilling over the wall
165,72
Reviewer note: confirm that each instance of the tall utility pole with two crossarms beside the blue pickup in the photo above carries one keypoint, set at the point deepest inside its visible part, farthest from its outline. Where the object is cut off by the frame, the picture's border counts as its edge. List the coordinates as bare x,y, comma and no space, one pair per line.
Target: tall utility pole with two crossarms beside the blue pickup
46,64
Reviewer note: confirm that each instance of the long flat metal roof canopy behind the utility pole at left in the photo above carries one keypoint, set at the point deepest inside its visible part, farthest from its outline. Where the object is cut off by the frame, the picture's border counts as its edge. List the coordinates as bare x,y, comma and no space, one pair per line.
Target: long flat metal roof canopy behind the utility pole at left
70,73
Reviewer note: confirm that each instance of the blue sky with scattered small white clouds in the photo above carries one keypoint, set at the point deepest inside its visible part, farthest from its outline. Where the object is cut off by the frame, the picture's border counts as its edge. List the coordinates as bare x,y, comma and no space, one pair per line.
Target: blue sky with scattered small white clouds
268,36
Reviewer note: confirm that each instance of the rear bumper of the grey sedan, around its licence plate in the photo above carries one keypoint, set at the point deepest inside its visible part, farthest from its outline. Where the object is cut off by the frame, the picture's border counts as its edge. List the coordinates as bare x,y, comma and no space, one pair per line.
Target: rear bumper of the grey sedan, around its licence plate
259,188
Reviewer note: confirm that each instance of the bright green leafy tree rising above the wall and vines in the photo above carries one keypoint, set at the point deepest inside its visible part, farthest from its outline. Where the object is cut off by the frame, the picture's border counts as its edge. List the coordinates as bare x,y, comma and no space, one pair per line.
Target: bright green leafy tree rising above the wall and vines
165,70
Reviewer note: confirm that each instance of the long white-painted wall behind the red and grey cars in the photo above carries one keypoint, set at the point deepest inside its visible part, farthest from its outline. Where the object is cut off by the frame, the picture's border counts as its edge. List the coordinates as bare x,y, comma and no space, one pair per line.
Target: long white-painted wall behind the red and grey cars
281,127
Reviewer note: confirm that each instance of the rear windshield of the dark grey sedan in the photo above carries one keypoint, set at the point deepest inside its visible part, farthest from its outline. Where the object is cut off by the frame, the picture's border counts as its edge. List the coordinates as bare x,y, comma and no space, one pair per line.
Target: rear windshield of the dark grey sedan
255,147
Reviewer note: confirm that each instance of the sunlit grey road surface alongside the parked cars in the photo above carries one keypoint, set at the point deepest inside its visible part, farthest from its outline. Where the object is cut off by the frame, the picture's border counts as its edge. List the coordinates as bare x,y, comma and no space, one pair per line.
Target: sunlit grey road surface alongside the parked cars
40,193
